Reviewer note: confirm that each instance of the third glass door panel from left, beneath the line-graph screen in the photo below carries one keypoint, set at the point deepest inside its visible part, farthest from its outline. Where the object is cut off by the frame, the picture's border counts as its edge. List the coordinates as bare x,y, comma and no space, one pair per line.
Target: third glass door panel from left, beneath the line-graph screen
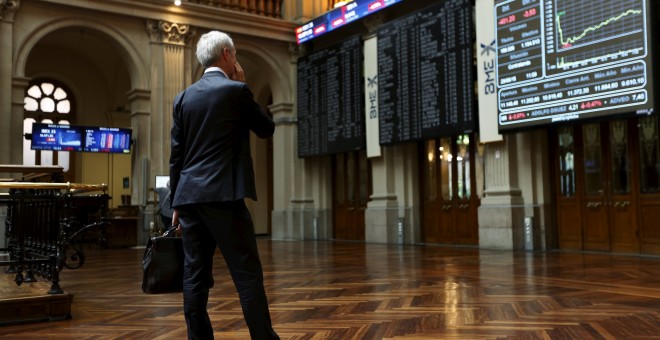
620,165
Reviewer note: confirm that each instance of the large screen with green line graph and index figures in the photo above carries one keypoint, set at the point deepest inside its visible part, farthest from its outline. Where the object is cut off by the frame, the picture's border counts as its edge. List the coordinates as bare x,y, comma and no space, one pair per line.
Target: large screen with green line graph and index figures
561,60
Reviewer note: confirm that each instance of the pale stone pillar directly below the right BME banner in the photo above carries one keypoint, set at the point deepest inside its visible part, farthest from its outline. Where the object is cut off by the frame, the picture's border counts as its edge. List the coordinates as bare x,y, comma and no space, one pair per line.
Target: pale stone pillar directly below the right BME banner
502,211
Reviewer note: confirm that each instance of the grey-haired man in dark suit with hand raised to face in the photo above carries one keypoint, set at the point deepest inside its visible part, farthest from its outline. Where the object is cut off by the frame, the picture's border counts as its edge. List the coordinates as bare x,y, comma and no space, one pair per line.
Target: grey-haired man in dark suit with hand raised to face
210,175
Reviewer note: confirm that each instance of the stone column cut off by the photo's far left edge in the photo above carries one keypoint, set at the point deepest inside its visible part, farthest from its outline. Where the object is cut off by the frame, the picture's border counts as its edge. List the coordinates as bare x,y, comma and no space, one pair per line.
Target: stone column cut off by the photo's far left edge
9,136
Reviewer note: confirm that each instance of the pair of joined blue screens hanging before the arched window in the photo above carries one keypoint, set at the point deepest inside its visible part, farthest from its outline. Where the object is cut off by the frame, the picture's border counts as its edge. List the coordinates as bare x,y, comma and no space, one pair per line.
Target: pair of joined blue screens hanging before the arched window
58,137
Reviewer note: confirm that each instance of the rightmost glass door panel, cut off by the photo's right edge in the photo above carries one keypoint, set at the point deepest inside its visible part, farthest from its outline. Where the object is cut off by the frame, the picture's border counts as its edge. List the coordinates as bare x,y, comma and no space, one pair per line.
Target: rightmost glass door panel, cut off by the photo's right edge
649,154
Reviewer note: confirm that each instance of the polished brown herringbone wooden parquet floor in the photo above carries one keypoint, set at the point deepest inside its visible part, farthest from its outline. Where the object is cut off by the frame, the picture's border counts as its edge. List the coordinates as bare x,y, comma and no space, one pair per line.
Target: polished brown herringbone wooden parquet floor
342,290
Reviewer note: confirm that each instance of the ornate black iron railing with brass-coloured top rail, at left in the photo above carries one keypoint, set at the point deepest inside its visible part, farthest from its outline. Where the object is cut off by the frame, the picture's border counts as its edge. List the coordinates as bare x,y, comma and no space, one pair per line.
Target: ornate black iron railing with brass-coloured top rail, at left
45,221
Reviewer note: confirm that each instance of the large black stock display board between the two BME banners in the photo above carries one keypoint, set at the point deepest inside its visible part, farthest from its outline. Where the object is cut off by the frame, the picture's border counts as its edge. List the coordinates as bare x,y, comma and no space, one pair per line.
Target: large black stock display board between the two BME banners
425,74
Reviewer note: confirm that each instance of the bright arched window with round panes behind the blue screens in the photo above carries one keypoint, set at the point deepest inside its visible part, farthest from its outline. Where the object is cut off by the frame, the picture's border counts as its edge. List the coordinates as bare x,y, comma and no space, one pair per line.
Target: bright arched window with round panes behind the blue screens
46,101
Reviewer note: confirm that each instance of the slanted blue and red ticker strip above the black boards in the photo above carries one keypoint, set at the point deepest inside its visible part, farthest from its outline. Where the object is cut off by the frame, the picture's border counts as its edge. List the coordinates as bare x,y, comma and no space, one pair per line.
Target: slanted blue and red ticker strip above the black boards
339,17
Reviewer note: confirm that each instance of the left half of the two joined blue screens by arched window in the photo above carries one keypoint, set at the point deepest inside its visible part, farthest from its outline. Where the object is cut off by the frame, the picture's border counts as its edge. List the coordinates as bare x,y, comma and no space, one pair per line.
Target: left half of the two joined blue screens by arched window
56,137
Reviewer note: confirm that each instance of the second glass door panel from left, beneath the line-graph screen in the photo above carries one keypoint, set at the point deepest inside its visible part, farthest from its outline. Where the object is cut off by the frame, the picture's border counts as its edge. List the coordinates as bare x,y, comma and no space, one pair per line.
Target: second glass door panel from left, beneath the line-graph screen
593,172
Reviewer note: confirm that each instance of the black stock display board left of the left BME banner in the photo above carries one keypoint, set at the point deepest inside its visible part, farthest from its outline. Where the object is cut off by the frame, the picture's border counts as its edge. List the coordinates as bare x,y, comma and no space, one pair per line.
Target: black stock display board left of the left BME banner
331,100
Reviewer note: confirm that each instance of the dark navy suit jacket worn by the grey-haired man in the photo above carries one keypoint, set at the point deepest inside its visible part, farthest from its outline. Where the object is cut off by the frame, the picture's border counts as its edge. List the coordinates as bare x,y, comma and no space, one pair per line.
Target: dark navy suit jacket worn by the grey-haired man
210,159
